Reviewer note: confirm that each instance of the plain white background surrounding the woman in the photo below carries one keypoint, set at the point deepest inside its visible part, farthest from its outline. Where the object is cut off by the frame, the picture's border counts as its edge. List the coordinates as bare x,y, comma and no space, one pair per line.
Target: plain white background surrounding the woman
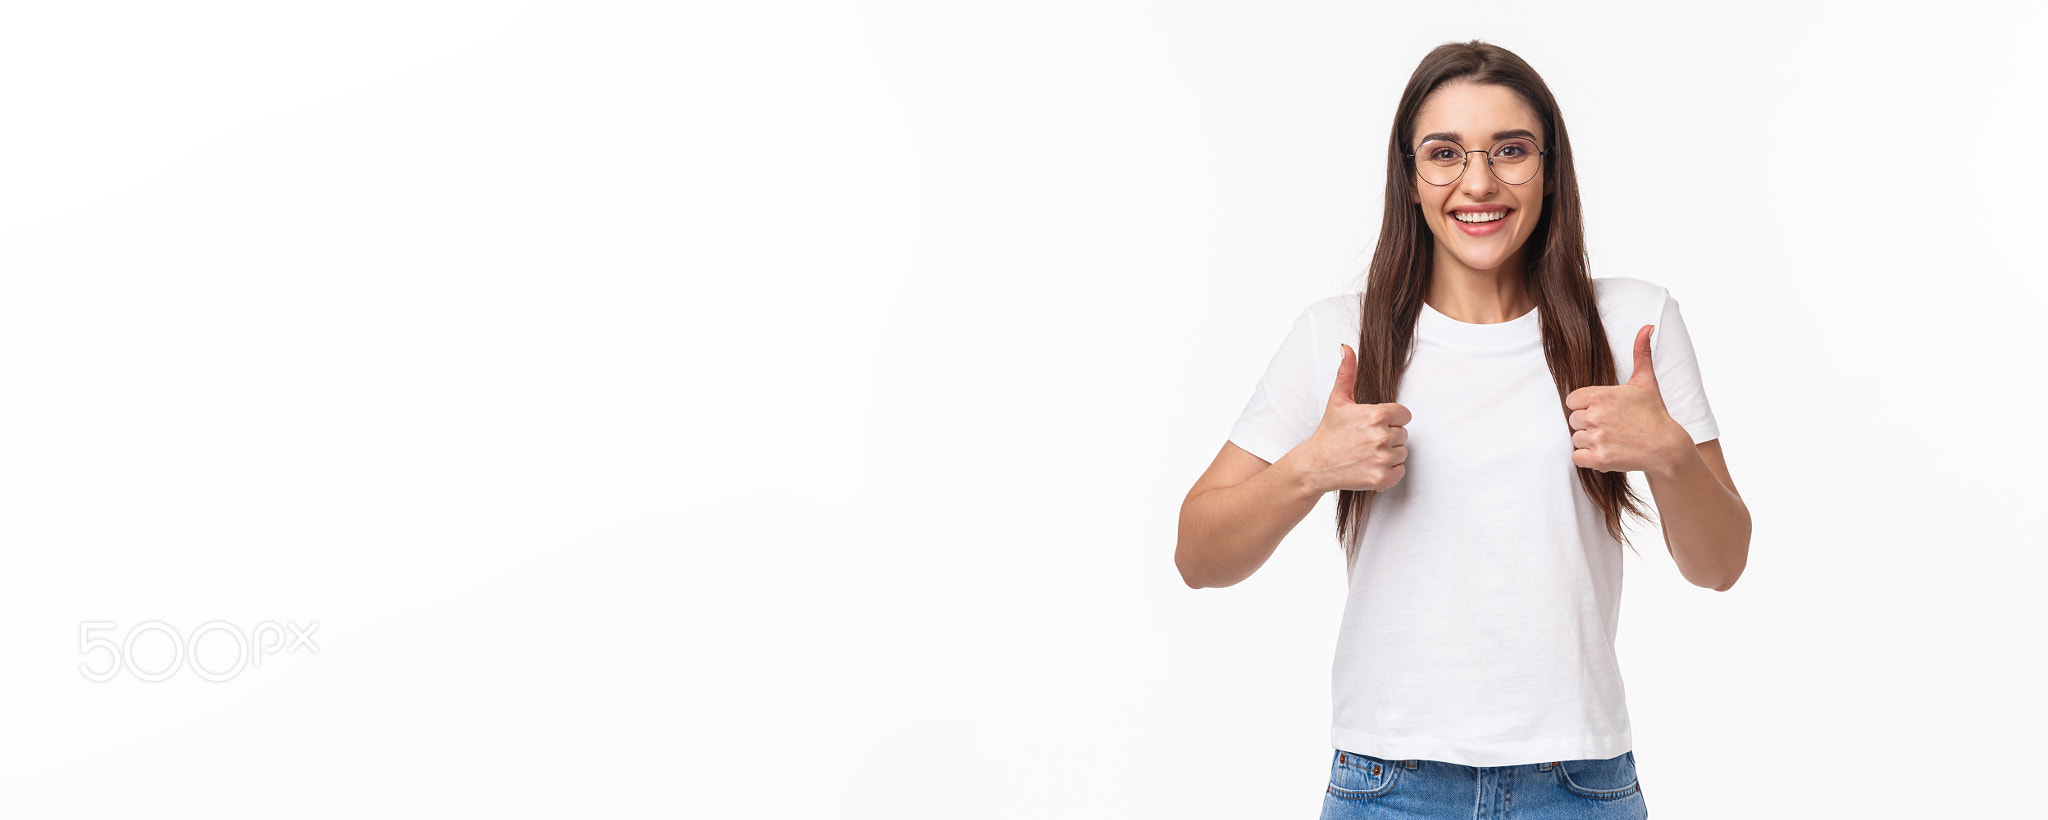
785,409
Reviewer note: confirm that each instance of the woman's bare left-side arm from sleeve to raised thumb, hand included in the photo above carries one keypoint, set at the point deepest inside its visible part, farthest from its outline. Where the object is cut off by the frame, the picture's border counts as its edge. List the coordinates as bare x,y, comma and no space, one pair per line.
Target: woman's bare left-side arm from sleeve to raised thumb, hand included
1242,507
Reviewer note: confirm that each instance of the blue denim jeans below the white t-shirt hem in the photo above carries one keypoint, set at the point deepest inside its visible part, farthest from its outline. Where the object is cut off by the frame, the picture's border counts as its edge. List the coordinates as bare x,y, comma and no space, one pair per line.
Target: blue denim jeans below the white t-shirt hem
1363,786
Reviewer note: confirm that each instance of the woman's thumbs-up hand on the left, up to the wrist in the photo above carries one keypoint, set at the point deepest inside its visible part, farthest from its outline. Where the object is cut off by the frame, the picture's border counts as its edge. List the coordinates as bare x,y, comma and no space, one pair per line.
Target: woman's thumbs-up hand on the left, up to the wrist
1359,446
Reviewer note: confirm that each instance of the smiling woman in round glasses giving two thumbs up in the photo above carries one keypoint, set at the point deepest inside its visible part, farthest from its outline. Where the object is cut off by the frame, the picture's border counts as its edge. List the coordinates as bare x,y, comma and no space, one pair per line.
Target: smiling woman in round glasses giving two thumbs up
1482,514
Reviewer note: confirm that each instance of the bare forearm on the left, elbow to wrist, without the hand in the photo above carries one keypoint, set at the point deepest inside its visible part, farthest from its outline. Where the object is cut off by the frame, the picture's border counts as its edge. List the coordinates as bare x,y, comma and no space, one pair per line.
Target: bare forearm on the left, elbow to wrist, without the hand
1228,534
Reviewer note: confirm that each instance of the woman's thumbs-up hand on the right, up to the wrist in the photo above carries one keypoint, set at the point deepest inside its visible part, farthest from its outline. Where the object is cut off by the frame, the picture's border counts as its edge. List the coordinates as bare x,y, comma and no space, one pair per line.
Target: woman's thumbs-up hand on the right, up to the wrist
1625,427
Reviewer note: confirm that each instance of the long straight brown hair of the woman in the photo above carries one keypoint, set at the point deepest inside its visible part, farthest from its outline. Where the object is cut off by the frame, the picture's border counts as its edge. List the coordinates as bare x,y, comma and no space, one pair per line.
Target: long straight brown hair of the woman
1558,274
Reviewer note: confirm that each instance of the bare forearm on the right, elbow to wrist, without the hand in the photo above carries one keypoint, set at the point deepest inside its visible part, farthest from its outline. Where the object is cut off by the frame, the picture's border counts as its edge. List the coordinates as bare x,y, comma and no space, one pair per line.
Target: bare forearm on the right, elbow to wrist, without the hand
1705,522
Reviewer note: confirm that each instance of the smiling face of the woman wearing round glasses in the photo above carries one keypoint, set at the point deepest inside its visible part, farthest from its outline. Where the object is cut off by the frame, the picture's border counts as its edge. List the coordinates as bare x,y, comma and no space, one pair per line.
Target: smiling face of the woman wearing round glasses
1474,116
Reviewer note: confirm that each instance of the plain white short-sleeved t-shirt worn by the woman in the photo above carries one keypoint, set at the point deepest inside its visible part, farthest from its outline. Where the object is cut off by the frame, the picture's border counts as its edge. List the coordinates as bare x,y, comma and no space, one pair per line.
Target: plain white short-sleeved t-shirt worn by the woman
1482,614
